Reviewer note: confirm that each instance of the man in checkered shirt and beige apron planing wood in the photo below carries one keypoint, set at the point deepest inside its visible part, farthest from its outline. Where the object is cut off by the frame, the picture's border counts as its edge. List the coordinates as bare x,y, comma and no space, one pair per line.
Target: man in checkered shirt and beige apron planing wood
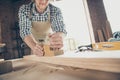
35,21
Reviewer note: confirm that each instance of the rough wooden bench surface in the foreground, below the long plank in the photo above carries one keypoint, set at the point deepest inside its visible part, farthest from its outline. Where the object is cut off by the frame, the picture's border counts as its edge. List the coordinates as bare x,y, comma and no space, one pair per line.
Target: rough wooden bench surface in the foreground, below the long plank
32,70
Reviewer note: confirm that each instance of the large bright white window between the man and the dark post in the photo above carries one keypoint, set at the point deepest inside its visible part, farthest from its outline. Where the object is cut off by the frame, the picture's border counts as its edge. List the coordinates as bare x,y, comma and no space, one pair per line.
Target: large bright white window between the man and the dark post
75,20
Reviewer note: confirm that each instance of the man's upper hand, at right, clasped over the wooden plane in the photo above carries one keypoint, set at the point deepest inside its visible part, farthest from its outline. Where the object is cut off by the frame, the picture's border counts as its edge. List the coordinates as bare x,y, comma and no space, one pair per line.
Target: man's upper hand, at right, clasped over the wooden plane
56,40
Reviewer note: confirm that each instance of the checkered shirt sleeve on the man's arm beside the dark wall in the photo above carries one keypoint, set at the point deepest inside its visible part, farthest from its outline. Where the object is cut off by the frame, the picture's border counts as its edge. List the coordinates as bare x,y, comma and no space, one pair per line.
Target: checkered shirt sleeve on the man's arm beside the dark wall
24,22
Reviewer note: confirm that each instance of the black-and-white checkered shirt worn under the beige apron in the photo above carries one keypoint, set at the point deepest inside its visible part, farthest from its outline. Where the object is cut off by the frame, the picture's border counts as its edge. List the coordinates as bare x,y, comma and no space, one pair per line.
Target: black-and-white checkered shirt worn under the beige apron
27,14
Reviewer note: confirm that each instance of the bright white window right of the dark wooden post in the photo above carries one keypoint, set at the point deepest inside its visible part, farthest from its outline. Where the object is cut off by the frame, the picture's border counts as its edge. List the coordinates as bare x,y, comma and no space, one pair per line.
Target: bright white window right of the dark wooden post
113,13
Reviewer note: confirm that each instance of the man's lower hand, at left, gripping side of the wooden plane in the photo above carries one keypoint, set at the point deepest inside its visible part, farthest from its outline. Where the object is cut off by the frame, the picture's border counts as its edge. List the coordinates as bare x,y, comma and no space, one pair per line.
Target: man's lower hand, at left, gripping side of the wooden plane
38,50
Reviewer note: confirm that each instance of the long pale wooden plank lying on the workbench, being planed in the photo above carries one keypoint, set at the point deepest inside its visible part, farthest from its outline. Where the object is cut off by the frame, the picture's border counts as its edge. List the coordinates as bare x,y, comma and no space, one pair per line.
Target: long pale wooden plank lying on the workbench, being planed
102,64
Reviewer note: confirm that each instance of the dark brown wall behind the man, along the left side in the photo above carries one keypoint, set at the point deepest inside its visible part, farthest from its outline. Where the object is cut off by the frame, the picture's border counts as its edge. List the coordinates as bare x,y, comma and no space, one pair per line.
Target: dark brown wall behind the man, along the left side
8,19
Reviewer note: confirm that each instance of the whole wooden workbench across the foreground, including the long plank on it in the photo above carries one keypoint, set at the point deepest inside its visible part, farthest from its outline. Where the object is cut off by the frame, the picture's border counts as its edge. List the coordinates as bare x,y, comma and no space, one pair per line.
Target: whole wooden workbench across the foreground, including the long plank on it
92,66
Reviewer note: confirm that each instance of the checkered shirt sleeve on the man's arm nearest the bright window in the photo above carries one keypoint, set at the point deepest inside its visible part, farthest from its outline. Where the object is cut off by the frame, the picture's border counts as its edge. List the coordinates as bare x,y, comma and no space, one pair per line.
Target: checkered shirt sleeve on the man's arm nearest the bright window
57,22
